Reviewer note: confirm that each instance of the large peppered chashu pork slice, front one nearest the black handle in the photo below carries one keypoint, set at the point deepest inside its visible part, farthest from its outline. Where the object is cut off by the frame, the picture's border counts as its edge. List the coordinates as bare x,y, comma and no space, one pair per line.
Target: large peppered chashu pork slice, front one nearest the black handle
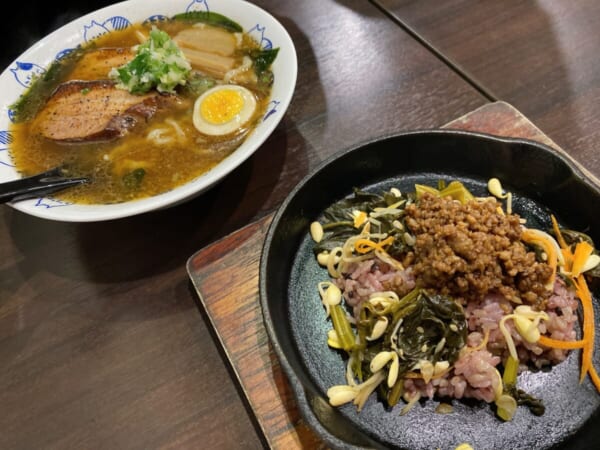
95,111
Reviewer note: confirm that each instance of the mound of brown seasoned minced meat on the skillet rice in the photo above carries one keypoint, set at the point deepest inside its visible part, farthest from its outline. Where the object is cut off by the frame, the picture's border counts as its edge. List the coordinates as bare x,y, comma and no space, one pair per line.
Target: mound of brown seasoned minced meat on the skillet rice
470,250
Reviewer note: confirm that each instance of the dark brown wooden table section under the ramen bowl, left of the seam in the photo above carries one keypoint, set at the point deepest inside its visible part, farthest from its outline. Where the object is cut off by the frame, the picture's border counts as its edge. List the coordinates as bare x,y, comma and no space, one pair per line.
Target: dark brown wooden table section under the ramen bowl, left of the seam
102,340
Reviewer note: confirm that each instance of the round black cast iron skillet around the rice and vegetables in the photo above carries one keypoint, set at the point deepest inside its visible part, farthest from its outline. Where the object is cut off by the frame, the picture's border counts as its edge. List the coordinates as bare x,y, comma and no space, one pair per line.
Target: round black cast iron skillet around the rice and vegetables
541,179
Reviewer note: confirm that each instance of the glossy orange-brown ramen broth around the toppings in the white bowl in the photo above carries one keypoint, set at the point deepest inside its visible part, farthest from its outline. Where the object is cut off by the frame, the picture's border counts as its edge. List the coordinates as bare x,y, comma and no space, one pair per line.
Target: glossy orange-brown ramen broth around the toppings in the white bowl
155,157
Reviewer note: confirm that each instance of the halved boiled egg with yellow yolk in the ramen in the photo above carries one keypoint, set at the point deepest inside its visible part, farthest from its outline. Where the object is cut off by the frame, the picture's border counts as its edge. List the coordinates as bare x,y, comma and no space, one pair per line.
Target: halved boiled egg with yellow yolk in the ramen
223,109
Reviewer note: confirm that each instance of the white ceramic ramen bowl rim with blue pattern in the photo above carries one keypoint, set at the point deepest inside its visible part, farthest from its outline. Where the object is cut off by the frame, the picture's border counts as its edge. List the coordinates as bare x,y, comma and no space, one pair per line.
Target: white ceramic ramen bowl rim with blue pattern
16,79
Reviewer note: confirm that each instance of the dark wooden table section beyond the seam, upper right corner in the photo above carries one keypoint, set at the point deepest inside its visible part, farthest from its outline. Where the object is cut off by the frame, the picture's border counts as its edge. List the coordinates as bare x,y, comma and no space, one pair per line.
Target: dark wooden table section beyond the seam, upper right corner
540,56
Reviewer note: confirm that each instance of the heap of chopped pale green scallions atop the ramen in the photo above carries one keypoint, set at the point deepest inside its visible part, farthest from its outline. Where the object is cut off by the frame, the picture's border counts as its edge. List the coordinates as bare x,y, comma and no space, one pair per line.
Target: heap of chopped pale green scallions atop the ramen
159,64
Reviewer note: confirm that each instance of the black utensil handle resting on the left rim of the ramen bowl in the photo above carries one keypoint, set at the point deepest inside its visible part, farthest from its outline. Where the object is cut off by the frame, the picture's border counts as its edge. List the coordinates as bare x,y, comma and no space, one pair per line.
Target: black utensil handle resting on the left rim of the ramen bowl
37,186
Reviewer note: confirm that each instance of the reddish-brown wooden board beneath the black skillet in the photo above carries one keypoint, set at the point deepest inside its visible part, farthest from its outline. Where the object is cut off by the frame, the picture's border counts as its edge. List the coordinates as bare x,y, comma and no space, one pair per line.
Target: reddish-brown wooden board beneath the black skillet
232,302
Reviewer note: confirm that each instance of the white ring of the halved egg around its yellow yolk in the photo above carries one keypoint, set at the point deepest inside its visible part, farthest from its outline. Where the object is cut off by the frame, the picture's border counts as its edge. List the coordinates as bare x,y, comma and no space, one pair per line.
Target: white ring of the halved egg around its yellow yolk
235,123
